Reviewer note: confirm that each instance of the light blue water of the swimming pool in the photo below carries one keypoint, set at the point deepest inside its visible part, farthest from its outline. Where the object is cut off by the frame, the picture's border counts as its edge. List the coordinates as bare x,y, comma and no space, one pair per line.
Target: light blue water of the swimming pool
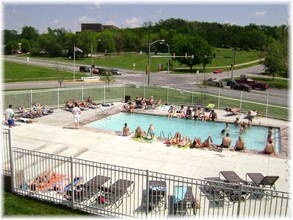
254,137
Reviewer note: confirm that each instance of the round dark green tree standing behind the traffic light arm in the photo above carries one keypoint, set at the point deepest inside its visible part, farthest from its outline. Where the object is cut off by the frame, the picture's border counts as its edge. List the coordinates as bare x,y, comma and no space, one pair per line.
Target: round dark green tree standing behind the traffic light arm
191,45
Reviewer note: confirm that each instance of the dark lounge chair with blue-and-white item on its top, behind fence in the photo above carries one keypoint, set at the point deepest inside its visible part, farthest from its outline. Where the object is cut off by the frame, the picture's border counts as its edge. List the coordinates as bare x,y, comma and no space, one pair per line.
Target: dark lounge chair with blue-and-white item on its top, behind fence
157,195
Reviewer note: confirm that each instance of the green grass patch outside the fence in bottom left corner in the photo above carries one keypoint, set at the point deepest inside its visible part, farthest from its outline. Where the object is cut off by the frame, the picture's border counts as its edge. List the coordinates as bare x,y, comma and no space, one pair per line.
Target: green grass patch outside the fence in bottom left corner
17,205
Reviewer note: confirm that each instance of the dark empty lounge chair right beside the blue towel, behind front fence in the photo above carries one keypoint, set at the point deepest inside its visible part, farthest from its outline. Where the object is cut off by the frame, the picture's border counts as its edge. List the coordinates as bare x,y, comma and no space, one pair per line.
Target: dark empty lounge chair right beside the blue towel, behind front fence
85,191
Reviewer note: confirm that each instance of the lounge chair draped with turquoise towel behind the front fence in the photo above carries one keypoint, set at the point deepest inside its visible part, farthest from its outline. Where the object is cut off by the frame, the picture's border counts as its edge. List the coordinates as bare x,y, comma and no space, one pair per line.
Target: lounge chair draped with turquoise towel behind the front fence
184,201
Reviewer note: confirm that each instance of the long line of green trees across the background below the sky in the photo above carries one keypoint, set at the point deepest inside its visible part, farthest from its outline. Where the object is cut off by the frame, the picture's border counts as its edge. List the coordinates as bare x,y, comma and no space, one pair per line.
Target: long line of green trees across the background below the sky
185,37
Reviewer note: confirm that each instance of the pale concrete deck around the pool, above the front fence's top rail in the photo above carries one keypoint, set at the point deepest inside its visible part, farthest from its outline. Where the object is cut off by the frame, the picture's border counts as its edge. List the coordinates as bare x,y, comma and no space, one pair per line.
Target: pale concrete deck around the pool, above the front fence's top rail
54,134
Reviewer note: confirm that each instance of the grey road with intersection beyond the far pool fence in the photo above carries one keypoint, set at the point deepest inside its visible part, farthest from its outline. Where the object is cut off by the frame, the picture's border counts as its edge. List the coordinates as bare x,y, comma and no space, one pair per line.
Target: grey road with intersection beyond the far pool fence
191,82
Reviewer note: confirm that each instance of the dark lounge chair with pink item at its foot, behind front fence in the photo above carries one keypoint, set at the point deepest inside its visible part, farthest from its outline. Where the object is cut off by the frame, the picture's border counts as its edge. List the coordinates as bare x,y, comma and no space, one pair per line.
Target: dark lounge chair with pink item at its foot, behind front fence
114,194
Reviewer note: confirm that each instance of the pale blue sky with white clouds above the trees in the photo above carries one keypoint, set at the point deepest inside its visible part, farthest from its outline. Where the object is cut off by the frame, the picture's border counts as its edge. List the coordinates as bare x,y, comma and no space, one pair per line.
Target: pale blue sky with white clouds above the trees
130,14
